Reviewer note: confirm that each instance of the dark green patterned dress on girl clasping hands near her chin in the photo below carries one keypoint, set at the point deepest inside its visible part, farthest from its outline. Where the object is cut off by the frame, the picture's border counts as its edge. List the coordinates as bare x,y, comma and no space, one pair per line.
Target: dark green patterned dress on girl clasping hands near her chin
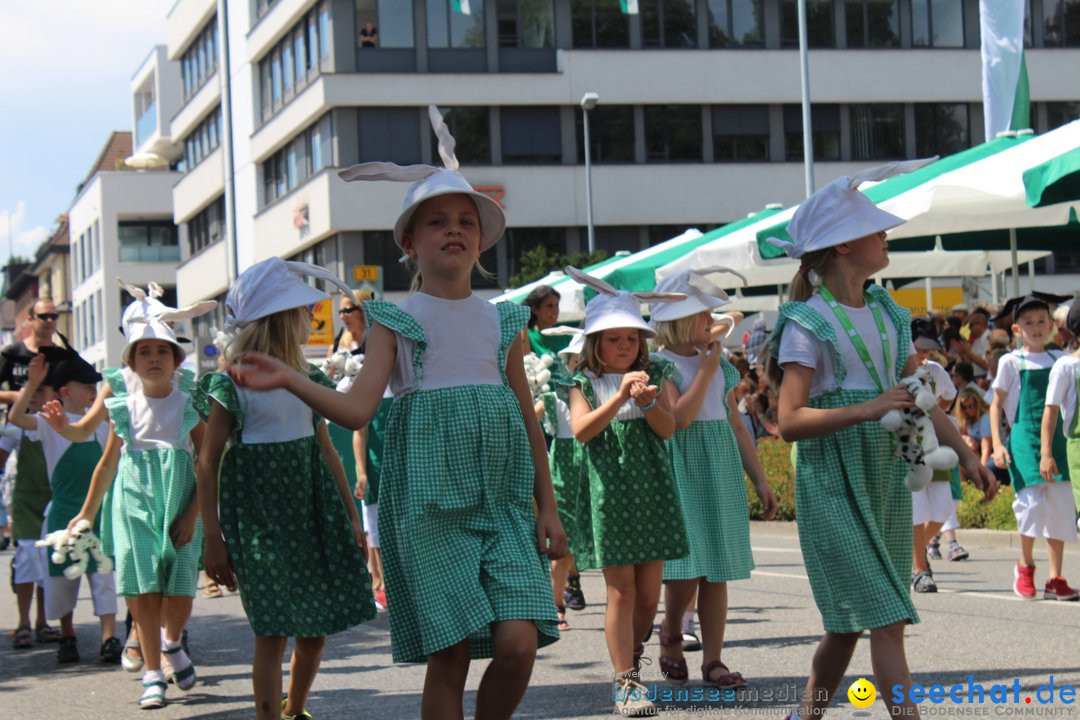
634,508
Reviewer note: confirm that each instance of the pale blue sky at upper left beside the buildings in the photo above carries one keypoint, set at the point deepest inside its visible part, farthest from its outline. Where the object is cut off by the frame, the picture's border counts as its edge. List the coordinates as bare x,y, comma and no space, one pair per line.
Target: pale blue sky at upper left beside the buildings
65,86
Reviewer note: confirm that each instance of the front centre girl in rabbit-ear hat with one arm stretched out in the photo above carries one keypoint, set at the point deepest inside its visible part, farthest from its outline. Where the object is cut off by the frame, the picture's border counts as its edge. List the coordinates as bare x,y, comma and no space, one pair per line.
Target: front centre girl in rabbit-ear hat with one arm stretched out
465,457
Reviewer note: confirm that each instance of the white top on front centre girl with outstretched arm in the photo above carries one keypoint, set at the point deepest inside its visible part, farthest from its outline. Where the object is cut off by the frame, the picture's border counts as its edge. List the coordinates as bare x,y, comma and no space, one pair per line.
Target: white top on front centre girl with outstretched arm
463,344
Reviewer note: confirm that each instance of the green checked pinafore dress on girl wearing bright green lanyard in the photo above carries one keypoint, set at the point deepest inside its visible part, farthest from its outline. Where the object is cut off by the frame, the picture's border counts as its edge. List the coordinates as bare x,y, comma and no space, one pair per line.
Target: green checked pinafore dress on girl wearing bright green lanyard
854,510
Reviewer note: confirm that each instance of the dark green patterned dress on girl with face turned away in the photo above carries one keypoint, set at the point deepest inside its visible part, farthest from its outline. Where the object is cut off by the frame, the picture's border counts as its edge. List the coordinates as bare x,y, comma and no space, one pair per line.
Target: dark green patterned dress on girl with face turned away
290,541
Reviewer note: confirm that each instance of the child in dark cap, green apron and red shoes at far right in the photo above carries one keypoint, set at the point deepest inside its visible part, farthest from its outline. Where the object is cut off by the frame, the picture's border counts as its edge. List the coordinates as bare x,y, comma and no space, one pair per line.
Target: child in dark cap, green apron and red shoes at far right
1045,506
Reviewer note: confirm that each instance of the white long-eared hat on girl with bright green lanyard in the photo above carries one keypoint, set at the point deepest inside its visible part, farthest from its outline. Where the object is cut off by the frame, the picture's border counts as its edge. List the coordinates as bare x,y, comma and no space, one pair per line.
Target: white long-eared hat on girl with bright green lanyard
840,213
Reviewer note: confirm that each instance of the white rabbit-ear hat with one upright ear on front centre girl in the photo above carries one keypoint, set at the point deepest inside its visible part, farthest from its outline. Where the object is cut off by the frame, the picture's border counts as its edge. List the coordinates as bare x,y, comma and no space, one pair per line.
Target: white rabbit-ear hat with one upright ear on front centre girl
430,182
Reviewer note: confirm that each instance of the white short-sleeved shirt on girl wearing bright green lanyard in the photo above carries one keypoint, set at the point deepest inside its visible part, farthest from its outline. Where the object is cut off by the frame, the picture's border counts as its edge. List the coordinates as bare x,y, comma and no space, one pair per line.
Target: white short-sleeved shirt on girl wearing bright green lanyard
800,346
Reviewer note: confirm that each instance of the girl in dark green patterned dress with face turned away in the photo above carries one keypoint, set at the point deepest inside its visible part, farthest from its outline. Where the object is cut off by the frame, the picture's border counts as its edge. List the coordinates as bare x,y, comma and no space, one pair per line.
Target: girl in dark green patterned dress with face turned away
280,474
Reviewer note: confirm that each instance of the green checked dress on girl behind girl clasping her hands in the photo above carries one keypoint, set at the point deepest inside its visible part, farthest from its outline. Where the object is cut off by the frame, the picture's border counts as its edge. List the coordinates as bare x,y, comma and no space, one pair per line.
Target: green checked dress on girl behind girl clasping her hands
711,483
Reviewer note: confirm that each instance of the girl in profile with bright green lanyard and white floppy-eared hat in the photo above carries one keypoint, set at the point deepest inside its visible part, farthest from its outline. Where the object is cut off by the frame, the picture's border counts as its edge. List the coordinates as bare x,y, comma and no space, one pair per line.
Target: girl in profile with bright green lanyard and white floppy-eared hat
836,354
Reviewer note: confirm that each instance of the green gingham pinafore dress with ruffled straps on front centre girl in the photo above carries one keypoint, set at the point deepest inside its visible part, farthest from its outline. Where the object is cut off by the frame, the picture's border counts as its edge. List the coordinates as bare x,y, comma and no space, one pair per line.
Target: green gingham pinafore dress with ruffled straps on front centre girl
457,527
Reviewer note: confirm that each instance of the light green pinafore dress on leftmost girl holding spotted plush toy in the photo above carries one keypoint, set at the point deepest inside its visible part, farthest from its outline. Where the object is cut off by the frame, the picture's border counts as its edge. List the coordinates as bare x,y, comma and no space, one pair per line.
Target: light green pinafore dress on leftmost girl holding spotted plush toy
153,488
